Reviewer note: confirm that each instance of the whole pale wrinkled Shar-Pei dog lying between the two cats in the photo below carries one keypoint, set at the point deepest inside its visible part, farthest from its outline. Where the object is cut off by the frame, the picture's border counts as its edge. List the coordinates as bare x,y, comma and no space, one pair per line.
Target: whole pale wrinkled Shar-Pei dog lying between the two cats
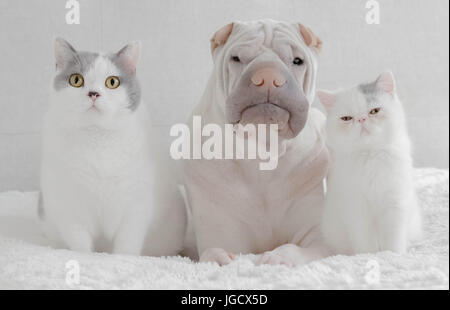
236,207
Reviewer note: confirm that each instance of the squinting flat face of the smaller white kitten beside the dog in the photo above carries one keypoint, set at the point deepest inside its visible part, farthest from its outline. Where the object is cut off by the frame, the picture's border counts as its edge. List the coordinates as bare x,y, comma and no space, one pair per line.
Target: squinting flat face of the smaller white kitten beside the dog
362,116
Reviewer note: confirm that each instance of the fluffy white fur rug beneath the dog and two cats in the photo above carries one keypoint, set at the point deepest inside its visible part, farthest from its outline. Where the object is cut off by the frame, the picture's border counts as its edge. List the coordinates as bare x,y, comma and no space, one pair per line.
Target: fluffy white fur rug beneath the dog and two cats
28,262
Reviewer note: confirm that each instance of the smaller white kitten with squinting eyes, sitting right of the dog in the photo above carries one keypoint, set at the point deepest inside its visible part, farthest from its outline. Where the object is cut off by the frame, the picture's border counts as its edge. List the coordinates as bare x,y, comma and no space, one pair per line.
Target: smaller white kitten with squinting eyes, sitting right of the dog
370,204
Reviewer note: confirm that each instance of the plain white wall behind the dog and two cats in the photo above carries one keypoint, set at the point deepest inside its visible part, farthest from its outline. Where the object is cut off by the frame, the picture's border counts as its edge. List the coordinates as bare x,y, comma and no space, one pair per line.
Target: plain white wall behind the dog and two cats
412,40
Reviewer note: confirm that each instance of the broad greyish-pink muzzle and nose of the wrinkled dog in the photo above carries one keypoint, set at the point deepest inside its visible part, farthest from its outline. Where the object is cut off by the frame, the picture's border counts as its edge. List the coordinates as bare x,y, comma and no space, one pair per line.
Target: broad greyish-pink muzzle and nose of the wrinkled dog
266,94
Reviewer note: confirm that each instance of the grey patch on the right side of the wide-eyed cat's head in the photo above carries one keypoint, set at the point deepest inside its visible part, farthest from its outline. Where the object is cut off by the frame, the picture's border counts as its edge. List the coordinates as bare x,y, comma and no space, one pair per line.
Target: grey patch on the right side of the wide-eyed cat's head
129,81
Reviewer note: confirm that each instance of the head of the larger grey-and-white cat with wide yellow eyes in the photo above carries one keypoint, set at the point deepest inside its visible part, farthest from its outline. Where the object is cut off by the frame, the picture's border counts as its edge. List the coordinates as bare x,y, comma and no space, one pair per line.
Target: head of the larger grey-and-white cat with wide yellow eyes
92,88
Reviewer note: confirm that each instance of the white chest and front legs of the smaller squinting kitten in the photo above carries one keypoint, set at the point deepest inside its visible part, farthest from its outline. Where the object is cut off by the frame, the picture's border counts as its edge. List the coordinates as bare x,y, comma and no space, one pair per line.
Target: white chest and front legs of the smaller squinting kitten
361,187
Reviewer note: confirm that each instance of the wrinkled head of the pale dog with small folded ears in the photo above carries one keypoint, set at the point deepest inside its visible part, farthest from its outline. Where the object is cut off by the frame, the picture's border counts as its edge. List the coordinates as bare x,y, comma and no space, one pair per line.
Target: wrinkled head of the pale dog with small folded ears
267,70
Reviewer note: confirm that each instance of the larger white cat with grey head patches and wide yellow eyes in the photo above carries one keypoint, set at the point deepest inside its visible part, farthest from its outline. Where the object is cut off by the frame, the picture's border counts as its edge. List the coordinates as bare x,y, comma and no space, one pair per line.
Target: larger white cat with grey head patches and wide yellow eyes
104,186
